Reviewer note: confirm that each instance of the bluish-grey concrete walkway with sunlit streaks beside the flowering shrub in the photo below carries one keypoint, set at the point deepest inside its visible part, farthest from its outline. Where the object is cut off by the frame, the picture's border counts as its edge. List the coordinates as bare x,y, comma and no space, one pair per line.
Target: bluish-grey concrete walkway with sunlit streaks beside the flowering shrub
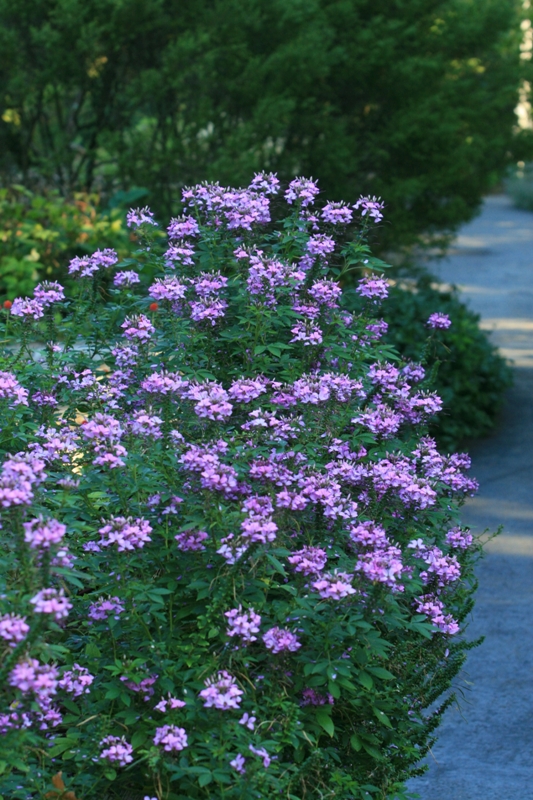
485,748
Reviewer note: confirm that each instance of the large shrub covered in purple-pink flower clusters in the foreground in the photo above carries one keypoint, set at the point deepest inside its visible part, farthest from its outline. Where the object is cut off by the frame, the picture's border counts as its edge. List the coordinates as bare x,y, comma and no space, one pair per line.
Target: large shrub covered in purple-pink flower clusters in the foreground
232,563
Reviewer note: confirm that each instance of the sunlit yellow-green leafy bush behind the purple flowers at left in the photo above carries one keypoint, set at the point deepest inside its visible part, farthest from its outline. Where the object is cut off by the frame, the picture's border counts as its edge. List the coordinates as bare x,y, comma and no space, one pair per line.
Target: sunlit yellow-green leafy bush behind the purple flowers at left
41,232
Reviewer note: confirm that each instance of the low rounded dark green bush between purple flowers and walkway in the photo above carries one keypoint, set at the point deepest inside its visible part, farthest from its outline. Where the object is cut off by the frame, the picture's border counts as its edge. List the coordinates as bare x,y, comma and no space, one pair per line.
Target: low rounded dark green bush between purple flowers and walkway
471,376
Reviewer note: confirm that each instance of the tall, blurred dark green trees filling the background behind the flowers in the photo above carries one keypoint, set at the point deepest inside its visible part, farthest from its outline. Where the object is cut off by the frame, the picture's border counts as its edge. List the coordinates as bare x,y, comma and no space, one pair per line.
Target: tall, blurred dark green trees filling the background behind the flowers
409,99
